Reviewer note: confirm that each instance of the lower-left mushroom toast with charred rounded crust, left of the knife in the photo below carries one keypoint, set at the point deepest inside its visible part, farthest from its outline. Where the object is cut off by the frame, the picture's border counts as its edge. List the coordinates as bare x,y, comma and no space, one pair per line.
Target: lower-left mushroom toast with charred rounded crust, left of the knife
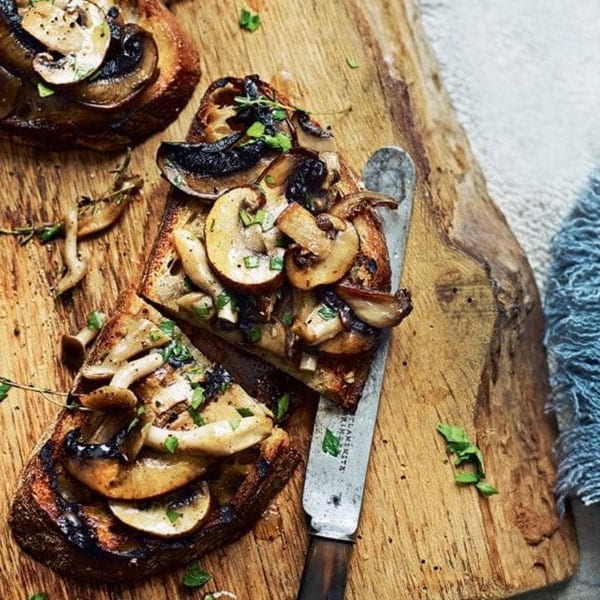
171,459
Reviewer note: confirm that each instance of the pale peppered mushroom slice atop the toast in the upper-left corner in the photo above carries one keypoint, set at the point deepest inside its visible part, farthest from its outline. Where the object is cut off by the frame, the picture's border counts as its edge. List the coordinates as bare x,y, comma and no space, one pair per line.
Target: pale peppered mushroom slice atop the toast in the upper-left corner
75,29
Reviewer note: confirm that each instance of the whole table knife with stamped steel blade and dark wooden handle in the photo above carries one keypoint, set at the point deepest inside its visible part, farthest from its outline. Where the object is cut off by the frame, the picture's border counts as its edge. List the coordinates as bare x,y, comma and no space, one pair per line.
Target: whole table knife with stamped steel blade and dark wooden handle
333,485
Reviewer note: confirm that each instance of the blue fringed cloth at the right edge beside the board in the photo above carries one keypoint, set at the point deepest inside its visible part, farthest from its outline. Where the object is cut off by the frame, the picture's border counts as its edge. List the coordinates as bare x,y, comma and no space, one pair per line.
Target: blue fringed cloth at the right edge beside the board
572,308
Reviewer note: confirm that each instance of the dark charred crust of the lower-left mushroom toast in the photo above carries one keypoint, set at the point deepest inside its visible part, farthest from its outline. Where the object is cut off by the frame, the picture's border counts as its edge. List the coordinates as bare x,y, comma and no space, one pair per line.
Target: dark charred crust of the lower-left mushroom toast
69,528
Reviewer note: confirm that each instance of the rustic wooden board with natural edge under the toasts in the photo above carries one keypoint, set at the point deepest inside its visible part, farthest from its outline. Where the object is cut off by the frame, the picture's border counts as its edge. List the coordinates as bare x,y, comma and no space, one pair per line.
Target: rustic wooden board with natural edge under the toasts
470,354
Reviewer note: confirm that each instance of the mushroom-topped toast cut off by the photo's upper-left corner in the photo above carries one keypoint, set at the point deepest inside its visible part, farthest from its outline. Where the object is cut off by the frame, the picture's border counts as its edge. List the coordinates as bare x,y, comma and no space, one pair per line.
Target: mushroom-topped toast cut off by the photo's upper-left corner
133,89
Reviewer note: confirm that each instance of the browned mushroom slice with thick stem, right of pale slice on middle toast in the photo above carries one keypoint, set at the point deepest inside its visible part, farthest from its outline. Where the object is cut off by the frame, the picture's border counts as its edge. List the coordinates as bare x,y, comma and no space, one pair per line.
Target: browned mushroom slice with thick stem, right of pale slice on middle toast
308,271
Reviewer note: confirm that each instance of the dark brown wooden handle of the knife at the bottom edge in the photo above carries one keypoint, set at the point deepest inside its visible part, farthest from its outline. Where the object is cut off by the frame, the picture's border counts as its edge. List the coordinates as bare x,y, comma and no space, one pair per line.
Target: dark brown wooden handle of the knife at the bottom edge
324,575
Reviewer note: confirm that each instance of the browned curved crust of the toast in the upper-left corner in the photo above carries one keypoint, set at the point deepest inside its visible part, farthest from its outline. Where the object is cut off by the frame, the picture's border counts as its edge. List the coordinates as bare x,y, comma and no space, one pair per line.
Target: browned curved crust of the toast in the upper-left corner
56,122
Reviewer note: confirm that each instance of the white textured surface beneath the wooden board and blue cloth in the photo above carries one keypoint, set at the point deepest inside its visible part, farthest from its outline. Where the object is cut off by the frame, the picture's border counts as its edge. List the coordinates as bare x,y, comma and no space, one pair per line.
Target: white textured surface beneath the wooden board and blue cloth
524,77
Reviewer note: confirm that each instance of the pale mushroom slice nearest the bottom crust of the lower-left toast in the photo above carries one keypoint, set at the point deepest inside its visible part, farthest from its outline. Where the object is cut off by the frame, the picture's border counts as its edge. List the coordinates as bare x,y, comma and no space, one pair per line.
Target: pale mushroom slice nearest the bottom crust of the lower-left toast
172,516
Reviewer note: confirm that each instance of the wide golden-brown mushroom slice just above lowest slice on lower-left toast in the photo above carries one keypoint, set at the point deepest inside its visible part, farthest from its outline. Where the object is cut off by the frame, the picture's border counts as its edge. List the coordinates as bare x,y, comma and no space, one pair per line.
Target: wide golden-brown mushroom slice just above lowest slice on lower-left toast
151,474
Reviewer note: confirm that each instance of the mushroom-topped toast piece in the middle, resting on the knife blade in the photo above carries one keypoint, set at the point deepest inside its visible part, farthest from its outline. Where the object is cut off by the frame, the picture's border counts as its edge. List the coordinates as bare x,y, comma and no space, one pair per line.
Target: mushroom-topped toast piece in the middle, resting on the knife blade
269,242
